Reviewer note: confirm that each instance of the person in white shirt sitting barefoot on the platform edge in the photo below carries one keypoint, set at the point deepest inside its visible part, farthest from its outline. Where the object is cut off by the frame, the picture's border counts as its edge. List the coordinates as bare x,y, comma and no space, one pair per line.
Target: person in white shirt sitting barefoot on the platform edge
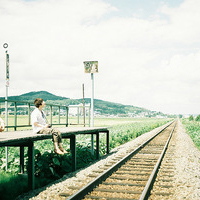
40,126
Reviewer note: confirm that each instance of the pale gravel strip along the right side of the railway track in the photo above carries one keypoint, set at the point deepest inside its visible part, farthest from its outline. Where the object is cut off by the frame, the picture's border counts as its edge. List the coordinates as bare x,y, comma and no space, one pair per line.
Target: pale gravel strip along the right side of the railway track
188,167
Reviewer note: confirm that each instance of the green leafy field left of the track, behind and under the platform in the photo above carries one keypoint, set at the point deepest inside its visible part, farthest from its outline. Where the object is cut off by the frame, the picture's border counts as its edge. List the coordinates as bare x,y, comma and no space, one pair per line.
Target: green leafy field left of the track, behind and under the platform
50,166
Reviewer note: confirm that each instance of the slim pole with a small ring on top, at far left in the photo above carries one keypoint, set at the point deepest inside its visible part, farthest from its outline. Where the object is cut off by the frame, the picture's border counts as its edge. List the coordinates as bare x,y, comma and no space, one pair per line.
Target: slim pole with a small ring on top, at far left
5,45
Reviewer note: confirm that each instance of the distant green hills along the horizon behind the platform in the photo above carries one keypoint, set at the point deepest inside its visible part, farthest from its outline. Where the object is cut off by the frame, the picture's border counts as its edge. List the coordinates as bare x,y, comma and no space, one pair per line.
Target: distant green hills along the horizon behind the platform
100,107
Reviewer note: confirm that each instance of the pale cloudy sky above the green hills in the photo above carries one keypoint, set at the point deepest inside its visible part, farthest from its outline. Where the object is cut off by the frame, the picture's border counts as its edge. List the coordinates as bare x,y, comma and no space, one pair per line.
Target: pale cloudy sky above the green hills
148,52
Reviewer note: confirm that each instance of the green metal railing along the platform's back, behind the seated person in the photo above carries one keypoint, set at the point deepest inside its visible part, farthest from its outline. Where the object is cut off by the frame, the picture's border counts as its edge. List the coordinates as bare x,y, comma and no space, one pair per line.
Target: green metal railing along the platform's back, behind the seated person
19,114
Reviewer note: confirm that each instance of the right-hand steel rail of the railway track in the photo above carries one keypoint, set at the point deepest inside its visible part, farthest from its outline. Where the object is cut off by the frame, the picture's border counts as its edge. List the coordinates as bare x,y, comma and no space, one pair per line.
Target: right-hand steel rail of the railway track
150,182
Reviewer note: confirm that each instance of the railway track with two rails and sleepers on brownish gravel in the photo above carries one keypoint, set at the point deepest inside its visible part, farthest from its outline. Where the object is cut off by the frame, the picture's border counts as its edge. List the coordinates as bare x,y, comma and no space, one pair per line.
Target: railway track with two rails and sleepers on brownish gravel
137,175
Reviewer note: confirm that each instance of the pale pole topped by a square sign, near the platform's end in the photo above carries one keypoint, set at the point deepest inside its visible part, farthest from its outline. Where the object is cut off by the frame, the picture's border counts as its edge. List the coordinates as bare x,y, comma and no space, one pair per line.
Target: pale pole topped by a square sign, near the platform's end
91,67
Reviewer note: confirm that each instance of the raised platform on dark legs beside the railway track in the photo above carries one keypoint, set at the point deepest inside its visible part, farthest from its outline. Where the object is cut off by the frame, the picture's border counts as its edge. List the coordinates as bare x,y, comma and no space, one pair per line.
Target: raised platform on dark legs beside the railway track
27,138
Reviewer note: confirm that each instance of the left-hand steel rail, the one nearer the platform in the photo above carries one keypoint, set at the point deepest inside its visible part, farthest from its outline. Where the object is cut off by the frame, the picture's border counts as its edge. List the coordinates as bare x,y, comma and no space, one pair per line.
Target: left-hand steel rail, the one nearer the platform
90,186
